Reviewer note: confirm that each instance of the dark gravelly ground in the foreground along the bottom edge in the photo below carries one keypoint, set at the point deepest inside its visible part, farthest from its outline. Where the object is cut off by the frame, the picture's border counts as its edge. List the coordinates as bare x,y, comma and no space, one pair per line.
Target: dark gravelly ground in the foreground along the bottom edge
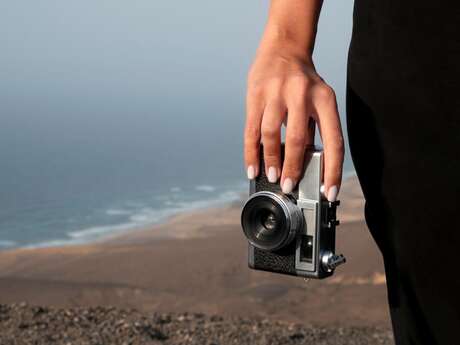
24,324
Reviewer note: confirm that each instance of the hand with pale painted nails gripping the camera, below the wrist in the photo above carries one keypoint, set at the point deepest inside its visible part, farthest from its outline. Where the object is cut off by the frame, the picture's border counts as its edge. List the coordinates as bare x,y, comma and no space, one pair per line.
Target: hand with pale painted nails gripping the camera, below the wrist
280,86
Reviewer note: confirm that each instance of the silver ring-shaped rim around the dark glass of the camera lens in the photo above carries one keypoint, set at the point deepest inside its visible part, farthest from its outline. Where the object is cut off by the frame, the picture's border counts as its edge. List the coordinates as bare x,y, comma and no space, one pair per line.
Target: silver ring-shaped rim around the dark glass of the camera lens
292,213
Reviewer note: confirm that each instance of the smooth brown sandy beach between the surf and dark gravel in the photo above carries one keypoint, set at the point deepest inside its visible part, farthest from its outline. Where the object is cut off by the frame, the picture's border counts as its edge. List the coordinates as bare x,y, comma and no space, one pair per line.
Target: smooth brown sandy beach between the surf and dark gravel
196,263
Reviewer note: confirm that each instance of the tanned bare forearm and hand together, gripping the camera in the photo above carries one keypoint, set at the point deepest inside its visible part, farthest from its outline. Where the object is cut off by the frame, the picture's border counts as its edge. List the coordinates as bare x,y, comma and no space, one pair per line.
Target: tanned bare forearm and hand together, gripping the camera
284,87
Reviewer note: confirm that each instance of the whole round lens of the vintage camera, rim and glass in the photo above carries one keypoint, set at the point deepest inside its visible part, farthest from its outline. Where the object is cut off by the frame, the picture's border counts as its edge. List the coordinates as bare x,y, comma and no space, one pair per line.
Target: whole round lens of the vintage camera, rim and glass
270,220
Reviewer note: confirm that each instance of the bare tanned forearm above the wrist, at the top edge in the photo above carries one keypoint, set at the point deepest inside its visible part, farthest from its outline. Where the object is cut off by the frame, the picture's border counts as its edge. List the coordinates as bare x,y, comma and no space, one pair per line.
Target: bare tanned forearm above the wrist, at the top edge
292,26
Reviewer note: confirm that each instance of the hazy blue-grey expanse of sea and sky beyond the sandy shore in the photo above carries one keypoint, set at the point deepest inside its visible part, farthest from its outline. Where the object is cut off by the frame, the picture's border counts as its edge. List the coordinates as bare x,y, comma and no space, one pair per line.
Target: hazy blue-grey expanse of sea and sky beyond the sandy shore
116,115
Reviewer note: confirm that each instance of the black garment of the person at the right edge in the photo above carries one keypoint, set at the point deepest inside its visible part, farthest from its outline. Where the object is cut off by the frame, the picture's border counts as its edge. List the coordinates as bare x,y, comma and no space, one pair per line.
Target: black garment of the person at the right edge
403,115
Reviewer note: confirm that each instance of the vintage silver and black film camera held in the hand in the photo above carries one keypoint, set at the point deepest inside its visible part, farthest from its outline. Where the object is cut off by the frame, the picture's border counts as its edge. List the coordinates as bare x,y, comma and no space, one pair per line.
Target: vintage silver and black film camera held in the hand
292,233
